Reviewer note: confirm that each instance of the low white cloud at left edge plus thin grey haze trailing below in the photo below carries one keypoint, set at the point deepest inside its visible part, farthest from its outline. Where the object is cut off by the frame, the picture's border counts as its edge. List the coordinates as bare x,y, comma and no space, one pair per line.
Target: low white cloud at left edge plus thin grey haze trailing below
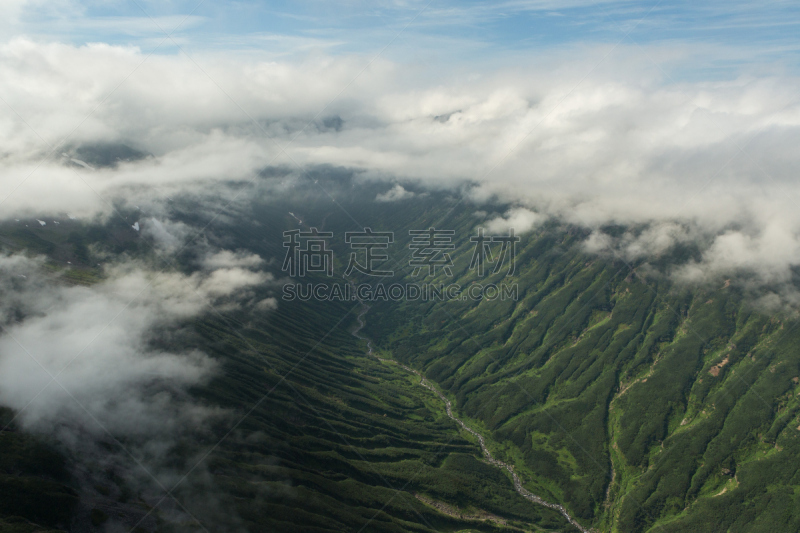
121,365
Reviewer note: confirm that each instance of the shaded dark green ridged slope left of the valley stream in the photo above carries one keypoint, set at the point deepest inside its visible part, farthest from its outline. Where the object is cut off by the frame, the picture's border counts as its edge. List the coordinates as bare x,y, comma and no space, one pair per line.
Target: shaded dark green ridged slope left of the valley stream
330,446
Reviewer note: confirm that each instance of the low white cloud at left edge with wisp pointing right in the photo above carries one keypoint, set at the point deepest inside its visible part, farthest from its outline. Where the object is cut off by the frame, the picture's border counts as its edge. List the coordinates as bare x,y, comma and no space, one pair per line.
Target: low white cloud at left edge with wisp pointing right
99,343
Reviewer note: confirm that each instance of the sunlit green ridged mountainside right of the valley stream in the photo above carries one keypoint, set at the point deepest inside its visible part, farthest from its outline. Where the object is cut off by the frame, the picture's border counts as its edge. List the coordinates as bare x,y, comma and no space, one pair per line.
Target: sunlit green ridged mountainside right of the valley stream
689,394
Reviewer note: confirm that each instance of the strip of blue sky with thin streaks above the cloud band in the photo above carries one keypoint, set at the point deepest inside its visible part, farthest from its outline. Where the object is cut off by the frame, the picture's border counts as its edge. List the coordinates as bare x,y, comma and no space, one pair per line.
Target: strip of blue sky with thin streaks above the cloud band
723,33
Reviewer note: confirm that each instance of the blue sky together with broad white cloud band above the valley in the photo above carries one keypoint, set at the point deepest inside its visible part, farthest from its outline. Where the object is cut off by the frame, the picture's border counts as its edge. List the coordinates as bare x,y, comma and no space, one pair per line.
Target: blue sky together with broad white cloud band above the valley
592,112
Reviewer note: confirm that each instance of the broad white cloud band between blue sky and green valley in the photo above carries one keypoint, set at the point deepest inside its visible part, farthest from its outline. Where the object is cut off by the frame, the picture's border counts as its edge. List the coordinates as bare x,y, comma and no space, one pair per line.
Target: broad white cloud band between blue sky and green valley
624,144
